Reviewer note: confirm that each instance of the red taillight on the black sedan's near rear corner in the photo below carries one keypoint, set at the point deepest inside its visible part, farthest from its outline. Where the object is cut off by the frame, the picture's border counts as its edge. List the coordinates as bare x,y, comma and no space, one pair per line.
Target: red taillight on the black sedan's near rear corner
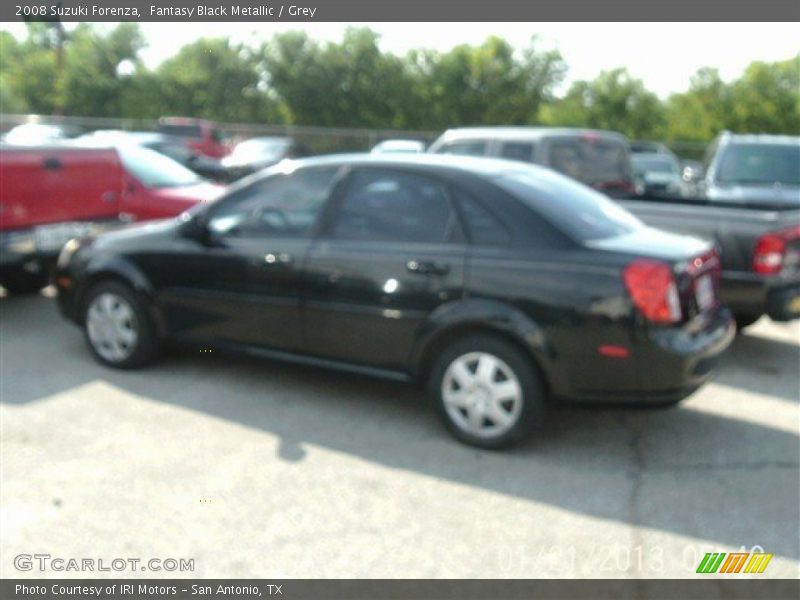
652,289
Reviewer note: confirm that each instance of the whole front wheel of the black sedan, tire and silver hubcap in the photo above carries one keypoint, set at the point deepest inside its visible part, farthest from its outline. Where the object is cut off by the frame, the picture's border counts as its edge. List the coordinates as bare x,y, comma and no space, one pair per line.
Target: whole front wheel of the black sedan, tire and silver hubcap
118,329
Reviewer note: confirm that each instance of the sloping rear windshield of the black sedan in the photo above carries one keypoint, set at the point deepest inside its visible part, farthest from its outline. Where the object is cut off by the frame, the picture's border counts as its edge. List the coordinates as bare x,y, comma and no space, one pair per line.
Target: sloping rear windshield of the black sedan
575,209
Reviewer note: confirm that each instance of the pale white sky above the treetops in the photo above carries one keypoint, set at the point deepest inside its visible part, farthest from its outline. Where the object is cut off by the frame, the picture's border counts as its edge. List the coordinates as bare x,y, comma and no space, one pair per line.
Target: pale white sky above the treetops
663,55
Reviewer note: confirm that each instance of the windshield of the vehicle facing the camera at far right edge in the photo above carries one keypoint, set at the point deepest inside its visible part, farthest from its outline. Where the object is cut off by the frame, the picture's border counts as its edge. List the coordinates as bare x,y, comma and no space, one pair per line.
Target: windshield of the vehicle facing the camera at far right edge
760,164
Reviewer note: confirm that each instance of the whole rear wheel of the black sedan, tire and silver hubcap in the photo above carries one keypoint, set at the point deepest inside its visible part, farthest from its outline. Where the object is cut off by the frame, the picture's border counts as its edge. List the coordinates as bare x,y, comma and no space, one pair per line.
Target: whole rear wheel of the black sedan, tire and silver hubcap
487,392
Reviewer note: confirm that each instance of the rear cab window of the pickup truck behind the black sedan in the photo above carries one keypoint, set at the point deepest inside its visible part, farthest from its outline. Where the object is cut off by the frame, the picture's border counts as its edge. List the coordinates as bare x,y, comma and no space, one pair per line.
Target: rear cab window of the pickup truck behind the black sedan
590,159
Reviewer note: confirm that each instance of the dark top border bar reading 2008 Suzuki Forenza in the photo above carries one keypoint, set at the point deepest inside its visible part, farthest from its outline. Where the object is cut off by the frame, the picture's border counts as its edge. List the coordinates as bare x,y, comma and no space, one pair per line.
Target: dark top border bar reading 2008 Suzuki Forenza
423,10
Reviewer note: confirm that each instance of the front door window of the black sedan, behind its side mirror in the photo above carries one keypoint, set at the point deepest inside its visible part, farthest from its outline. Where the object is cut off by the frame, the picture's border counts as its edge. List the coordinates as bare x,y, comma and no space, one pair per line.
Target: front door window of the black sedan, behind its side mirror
279,206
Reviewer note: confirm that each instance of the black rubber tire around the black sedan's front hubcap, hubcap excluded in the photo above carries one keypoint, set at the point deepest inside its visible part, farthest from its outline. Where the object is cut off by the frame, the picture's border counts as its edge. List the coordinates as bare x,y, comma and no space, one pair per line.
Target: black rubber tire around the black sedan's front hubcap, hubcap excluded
145,348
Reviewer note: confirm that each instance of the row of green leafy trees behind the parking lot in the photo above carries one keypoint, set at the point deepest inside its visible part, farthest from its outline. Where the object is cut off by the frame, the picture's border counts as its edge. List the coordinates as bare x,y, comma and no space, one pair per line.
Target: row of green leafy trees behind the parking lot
292,78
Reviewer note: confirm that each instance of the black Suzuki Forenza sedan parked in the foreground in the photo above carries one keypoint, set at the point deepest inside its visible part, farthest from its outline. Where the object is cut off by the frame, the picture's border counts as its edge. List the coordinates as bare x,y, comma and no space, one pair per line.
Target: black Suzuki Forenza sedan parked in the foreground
499,285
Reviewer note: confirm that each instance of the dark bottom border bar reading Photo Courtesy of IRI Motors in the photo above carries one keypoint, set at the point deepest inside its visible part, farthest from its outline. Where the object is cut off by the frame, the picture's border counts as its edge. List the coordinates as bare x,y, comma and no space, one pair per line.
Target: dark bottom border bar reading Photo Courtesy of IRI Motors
706,588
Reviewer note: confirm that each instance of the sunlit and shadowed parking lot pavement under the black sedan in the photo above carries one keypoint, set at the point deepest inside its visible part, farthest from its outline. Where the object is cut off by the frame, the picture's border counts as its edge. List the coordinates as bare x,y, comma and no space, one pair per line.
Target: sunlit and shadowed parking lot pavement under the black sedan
259,469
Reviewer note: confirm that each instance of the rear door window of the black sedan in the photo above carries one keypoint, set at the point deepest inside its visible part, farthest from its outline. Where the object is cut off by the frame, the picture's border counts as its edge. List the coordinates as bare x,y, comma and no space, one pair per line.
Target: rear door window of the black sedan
386,205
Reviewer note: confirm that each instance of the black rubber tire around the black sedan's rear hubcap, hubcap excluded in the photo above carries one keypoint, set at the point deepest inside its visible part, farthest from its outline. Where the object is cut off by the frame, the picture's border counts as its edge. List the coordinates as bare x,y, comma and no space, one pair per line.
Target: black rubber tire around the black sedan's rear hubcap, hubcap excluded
527,374
